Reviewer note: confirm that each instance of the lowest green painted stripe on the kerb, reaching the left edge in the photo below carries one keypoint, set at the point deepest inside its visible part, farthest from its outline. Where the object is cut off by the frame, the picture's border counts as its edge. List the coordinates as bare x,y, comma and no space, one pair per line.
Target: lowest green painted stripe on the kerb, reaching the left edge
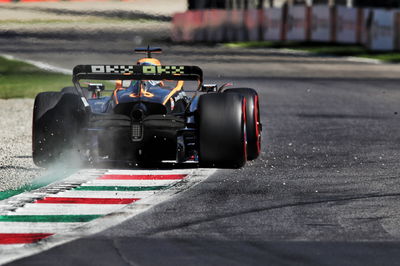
48,218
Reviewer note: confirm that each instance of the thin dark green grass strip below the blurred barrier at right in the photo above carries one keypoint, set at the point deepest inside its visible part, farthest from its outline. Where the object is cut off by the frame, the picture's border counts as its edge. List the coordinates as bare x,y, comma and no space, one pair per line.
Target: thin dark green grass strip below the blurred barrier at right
323,49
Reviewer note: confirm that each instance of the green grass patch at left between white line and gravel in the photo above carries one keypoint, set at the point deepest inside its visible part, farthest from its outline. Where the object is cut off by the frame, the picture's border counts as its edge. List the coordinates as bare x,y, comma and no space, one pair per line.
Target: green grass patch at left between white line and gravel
23,80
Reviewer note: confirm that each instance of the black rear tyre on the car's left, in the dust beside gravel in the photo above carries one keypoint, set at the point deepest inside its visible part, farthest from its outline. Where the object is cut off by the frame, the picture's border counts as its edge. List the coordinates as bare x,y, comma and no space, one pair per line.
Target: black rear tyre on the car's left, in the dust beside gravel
57,118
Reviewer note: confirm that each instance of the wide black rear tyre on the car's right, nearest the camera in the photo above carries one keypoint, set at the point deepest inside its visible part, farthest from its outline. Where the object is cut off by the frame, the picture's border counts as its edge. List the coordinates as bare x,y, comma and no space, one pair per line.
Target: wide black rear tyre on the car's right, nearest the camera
222,130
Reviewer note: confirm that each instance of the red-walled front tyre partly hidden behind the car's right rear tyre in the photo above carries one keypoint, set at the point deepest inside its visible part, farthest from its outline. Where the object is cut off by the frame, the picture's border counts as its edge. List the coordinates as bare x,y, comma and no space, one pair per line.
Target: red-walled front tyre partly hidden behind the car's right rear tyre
253,124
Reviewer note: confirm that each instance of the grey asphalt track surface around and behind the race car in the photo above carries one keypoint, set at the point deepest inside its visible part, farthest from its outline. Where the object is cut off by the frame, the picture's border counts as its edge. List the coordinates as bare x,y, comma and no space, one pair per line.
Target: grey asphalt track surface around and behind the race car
324,192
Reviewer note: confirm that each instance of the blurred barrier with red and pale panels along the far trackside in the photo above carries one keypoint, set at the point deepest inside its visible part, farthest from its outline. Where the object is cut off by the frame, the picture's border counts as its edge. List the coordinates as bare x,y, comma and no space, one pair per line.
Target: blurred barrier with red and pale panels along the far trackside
377,29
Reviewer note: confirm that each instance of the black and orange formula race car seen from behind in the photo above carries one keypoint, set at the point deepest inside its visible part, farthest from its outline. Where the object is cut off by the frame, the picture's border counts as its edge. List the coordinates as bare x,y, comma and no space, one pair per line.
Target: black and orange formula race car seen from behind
146,118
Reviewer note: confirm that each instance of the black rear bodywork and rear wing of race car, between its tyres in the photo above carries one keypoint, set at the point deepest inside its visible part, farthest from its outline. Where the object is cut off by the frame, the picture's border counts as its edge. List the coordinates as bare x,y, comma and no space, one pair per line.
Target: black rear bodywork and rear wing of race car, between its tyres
137,125
